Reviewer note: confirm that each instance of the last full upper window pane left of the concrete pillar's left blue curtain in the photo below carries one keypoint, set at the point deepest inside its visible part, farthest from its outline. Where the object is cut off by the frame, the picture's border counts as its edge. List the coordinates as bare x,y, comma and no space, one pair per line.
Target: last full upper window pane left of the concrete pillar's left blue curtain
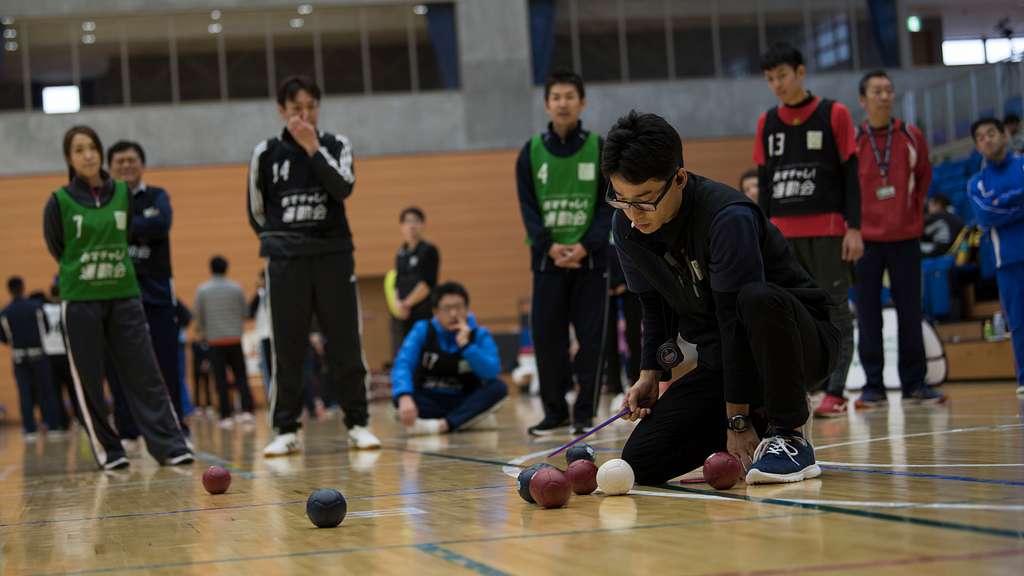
389,28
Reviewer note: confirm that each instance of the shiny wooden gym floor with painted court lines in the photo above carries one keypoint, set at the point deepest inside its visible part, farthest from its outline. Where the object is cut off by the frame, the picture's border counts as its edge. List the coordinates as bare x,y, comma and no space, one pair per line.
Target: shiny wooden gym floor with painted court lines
909,490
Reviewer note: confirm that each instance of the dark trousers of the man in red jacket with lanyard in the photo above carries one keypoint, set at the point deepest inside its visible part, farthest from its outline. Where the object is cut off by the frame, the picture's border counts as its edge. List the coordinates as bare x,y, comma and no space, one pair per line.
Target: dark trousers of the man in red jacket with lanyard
903,260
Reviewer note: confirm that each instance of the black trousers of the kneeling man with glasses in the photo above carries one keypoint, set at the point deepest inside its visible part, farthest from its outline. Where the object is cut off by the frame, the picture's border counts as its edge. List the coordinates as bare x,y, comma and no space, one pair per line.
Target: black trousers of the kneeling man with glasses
794,353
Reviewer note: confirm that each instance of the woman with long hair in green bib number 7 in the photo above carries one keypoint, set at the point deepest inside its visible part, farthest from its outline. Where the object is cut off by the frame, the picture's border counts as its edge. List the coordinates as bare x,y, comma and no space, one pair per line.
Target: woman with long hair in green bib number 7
87,227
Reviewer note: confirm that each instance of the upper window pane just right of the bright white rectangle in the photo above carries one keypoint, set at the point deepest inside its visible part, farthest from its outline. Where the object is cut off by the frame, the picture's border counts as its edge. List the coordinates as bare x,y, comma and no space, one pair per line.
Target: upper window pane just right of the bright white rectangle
101,62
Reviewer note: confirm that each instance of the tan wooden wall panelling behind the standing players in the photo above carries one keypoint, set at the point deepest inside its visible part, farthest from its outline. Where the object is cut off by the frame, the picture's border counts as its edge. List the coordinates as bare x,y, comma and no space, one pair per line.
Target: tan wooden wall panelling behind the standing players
473,216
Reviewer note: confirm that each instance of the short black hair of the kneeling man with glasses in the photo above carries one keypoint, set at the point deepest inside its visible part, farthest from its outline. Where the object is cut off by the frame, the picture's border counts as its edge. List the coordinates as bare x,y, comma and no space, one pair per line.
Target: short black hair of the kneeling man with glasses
642,147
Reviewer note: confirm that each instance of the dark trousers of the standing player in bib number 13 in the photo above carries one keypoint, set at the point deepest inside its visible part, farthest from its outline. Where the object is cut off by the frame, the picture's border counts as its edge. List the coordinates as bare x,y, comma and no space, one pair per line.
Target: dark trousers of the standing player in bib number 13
823,259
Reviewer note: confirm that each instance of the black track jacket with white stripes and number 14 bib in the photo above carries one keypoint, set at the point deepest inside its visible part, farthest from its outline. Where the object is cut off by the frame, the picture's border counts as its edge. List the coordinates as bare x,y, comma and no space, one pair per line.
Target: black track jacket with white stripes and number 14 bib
296,201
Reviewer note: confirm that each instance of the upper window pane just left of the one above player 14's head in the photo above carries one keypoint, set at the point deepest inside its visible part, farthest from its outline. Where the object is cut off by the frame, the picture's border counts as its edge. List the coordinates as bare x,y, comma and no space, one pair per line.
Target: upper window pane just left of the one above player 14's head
245,51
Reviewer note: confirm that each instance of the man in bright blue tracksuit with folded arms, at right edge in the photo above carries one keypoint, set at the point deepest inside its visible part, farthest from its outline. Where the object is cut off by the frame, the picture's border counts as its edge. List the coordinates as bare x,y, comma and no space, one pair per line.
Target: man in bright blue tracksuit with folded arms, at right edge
998,198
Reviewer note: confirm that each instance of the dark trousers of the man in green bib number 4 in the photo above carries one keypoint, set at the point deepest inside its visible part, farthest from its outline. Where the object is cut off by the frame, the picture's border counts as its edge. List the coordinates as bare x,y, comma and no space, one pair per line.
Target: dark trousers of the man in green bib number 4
561,298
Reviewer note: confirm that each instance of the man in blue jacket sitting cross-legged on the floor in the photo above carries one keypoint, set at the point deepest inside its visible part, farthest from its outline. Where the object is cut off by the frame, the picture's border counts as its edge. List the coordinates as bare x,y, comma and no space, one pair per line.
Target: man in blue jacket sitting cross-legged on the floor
446,376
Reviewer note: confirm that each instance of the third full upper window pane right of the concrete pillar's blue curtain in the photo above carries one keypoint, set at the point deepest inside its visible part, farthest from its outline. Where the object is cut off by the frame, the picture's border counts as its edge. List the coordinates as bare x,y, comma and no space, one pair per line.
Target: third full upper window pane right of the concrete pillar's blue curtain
693,39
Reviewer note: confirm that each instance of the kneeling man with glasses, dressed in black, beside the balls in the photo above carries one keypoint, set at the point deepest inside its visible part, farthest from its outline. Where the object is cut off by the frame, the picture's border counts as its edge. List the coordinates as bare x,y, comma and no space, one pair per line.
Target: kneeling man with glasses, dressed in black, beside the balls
710,269
